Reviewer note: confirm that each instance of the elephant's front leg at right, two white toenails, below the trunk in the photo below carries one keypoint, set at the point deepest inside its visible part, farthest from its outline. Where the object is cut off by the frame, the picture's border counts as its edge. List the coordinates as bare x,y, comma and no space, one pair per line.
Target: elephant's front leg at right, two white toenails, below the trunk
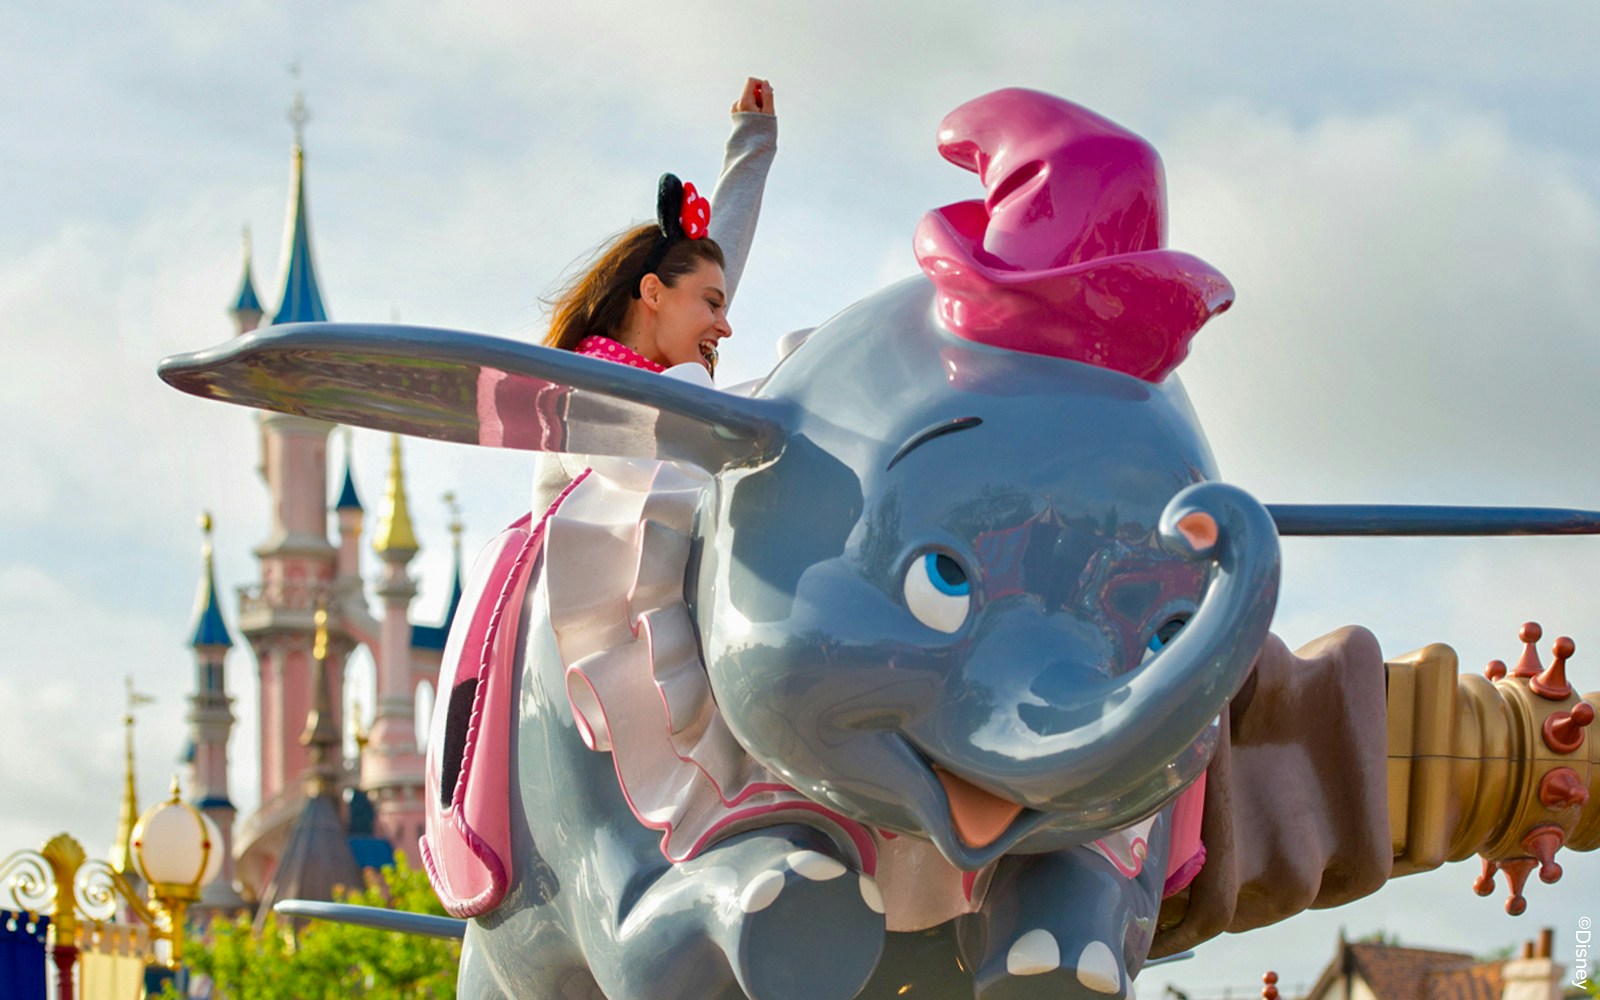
1066,926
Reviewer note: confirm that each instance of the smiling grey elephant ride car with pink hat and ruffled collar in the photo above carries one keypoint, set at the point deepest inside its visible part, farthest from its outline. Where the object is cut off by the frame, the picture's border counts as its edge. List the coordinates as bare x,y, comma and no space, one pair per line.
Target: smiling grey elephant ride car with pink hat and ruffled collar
900,676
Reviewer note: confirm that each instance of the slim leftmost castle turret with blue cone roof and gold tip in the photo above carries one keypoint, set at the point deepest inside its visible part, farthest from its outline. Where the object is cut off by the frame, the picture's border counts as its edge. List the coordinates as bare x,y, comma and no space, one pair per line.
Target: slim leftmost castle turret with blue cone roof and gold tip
210,724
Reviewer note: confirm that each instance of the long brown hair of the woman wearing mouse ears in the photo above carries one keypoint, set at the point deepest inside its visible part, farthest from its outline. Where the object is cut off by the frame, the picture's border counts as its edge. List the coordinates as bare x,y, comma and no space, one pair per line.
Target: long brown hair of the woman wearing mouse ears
596,300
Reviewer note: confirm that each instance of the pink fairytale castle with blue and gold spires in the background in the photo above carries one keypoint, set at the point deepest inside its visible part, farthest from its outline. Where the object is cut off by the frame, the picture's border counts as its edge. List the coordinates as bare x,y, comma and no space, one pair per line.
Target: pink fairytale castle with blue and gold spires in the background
321,818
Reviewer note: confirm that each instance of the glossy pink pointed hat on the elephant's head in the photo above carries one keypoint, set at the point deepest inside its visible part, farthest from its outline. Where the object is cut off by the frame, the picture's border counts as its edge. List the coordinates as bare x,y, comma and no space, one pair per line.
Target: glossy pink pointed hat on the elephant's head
1068,254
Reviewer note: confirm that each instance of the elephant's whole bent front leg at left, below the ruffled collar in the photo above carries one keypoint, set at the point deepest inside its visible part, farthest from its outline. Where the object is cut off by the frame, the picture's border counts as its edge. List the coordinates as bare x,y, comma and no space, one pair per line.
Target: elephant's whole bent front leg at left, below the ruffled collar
770,914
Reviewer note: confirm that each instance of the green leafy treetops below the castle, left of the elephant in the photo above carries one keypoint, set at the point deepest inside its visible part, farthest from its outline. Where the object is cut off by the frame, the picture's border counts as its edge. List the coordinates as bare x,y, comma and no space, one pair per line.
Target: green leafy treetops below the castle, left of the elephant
330,961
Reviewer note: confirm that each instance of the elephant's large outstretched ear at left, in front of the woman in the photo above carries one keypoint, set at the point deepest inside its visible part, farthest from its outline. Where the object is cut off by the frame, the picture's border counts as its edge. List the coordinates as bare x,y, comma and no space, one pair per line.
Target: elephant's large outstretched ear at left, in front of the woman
481,391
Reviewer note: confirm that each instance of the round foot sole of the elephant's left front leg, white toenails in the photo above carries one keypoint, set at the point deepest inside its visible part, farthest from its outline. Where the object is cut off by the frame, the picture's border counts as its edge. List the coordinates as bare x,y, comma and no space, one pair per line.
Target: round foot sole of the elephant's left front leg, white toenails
809,929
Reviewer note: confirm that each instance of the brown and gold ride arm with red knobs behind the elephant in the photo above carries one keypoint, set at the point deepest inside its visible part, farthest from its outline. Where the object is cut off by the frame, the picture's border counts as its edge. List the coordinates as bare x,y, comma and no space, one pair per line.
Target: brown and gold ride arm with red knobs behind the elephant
1340,772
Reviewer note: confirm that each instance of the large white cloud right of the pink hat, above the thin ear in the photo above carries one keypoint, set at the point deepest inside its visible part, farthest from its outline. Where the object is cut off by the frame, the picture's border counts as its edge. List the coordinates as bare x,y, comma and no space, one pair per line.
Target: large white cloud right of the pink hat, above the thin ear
1415,313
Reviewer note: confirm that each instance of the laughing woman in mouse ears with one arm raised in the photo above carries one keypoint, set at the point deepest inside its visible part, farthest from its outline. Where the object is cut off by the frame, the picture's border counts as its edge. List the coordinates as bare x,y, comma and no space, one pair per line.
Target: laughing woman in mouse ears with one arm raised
658,295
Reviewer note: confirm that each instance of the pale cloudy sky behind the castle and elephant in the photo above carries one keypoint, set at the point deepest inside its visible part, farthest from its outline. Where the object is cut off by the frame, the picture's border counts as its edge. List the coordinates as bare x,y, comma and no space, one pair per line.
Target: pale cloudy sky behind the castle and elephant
1407,199
